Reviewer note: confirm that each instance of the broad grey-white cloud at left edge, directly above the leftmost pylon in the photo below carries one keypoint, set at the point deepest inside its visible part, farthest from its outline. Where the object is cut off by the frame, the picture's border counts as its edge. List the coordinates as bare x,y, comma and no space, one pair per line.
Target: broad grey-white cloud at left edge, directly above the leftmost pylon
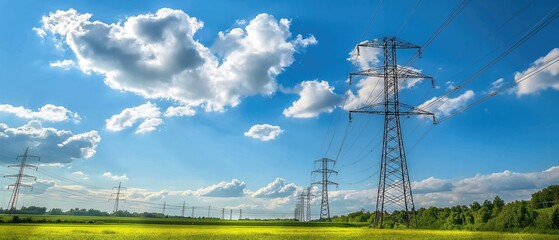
52,145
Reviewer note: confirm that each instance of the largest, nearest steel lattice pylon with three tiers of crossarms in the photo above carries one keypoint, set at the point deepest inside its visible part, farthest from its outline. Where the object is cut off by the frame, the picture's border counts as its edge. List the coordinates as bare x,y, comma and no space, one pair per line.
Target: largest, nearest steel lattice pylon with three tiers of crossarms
394,186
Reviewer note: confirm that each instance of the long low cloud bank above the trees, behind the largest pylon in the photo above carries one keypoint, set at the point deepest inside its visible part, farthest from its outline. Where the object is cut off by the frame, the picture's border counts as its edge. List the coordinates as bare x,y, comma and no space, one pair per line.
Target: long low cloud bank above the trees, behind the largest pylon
433,191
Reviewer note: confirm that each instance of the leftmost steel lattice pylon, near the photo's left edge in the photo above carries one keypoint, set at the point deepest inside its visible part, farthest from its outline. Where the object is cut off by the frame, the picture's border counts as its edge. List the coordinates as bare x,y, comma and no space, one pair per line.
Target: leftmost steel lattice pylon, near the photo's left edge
15,193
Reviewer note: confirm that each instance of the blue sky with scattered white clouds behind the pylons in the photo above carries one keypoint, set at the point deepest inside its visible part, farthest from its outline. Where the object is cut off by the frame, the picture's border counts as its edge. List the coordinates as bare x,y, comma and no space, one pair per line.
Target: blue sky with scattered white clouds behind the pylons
228,104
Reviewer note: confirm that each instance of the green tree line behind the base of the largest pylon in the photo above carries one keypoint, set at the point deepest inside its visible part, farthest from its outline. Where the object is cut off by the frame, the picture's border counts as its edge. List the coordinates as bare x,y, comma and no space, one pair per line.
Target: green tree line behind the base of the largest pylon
540,213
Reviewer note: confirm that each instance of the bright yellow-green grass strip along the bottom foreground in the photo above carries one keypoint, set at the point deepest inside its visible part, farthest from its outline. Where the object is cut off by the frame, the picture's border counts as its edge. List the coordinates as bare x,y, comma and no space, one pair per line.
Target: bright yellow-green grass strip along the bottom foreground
206,232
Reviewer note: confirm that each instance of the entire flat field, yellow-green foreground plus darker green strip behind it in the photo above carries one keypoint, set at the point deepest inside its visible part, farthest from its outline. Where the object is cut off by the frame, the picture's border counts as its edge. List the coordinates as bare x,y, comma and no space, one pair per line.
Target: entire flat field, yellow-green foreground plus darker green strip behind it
129,228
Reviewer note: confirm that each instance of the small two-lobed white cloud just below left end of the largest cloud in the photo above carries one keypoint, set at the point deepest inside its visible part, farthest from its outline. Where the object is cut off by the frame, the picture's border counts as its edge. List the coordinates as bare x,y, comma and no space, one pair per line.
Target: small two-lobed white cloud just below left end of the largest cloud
148,113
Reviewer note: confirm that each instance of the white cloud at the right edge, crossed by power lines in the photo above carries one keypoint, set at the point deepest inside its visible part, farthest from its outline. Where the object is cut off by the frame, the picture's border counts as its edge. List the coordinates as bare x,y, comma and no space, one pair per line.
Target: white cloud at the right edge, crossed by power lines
547,78
